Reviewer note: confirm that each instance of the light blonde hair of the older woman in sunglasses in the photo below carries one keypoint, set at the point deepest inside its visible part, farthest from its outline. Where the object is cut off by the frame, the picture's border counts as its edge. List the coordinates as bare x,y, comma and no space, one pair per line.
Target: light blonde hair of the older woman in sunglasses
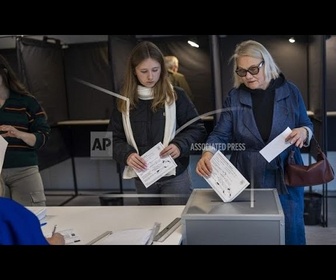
256,50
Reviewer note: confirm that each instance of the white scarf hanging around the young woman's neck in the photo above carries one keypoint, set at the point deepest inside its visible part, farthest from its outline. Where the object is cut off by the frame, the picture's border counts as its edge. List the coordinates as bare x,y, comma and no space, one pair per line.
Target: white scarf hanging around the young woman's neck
145,93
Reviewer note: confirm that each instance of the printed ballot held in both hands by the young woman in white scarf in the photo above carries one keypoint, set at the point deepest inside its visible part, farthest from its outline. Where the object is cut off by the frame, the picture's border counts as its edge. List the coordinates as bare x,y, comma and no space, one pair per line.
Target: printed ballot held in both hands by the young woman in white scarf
157,167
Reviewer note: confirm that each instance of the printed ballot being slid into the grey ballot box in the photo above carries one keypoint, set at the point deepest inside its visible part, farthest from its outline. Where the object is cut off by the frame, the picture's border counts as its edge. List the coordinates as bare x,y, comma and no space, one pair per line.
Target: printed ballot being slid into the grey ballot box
225,178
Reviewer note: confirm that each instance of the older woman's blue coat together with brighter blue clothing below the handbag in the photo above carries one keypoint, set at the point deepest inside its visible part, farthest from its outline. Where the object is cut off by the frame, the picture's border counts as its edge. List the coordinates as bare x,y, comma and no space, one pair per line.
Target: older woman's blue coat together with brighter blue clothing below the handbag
237,129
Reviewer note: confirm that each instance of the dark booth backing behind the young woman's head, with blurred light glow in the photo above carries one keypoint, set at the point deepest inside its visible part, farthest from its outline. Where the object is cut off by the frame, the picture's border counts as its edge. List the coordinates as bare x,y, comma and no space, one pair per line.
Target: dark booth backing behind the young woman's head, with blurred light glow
194,63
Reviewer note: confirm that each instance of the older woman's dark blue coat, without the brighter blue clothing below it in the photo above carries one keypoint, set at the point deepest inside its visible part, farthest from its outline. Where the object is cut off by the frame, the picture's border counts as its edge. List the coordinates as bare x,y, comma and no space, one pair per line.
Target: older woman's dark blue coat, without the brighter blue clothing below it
237,125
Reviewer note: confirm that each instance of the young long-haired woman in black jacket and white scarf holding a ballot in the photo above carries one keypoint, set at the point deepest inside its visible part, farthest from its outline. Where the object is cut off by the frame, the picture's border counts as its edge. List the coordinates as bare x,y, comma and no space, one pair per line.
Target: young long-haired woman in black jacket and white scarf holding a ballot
155,111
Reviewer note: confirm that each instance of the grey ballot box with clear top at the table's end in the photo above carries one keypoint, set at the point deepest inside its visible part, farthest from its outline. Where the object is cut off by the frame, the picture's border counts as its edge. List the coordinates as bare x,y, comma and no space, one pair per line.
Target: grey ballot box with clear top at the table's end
254,217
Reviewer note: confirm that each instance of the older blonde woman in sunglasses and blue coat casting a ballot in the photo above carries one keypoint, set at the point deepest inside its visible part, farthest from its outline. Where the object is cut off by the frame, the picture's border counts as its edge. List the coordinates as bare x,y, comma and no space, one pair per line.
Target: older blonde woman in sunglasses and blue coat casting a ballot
261,105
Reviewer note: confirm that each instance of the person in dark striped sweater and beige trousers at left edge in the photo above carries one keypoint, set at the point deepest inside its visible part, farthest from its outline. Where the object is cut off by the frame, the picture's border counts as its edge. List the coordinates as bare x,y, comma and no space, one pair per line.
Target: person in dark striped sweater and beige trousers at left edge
23,124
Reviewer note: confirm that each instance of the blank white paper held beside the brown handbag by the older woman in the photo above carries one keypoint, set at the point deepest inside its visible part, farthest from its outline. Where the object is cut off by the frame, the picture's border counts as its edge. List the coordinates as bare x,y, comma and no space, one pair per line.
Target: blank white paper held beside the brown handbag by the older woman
276,146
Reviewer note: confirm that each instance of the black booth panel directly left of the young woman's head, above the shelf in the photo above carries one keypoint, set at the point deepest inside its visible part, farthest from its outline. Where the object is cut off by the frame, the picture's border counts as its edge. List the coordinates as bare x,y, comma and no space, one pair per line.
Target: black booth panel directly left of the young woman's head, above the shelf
89,63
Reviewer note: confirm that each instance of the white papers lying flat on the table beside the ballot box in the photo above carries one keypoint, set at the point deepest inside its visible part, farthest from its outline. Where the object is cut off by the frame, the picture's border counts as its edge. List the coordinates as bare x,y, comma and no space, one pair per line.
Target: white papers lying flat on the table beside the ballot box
133,236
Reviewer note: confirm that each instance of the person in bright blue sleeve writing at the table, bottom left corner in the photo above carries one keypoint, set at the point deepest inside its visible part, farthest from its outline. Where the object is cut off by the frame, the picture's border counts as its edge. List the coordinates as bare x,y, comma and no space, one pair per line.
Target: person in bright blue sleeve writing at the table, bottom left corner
20,226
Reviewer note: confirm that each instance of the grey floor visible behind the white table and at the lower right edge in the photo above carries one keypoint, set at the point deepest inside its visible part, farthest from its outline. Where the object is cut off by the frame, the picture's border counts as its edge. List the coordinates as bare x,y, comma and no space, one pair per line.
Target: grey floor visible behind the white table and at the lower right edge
316,234
